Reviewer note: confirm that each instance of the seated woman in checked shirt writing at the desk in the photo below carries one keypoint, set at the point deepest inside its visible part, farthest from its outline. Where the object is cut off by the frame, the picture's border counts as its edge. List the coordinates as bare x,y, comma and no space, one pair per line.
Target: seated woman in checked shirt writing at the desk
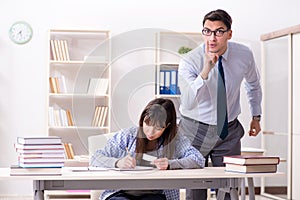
156,136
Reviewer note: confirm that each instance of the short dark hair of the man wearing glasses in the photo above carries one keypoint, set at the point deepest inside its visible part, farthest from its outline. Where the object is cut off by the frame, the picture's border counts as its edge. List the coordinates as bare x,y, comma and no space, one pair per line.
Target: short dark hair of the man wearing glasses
219,15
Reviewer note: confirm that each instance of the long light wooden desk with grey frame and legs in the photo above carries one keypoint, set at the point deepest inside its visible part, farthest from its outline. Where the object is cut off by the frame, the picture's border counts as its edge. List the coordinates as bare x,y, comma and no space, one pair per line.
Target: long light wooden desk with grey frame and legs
210,177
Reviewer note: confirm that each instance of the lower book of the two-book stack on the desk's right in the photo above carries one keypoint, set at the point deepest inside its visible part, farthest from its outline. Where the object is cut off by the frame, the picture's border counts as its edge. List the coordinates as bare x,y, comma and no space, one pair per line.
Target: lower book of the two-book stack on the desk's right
270,168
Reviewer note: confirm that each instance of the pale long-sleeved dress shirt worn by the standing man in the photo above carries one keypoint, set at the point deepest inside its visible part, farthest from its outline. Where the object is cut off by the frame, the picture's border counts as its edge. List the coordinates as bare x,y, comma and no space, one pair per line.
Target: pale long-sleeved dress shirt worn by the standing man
199,97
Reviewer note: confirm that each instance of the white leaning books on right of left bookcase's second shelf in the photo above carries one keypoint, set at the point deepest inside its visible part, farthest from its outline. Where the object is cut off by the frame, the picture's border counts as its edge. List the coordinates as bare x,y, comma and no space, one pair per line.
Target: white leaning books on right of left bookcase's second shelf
98,86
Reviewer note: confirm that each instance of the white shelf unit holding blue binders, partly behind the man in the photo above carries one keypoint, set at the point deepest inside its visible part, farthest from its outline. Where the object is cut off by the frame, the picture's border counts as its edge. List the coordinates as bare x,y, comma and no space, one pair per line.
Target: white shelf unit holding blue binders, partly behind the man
167,58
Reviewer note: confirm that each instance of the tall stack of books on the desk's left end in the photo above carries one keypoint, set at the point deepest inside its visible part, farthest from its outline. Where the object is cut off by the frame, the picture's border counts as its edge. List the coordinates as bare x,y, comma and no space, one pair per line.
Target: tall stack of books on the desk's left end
40,152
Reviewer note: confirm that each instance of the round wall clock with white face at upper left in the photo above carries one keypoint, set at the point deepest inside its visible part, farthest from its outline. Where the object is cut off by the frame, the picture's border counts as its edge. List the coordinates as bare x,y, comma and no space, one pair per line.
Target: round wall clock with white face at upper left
20,32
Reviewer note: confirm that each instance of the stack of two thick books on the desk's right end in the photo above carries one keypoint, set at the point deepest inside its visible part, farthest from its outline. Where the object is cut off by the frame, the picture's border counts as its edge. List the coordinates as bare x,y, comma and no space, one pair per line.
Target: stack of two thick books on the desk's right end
251,163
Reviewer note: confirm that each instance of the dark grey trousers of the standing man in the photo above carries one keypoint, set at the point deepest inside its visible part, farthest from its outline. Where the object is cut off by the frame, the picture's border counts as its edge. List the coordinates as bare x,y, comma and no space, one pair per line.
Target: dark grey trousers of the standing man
204,138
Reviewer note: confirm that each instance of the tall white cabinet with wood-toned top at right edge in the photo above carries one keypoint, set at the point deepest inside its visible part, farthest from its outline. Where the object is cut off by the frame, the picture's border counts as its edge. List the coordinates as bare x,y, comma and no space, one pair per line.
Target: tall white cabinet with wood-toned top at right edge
281,107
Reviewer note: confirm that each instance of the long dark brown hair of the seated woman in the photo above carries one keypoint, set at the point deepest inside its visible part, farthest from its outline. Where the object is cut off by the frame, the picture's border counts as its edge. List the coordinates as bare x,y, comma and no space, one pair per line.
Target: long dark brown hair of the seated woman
159,112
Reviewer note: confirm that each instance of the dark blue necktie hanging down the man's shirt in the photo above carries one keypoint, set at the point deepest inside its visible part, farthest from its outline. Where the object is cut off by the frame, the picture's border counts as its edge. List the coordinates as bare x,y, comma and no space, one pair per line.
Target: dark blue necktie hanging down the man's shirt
222,119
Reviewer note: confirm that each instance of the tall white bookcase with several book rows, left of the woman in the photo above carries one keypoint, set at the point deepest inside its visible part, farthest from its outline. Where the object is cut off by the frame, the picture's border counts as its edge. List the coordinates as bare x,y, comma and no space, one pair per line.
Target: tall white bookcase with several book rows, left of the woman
79,83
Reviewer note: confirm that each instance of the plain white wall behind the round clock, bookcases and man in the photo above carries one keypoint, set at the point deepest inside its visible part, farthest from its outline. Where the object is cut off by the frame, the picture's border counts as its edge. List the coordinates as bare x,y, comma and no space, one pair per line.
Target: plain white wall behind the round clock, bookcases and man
23,74
